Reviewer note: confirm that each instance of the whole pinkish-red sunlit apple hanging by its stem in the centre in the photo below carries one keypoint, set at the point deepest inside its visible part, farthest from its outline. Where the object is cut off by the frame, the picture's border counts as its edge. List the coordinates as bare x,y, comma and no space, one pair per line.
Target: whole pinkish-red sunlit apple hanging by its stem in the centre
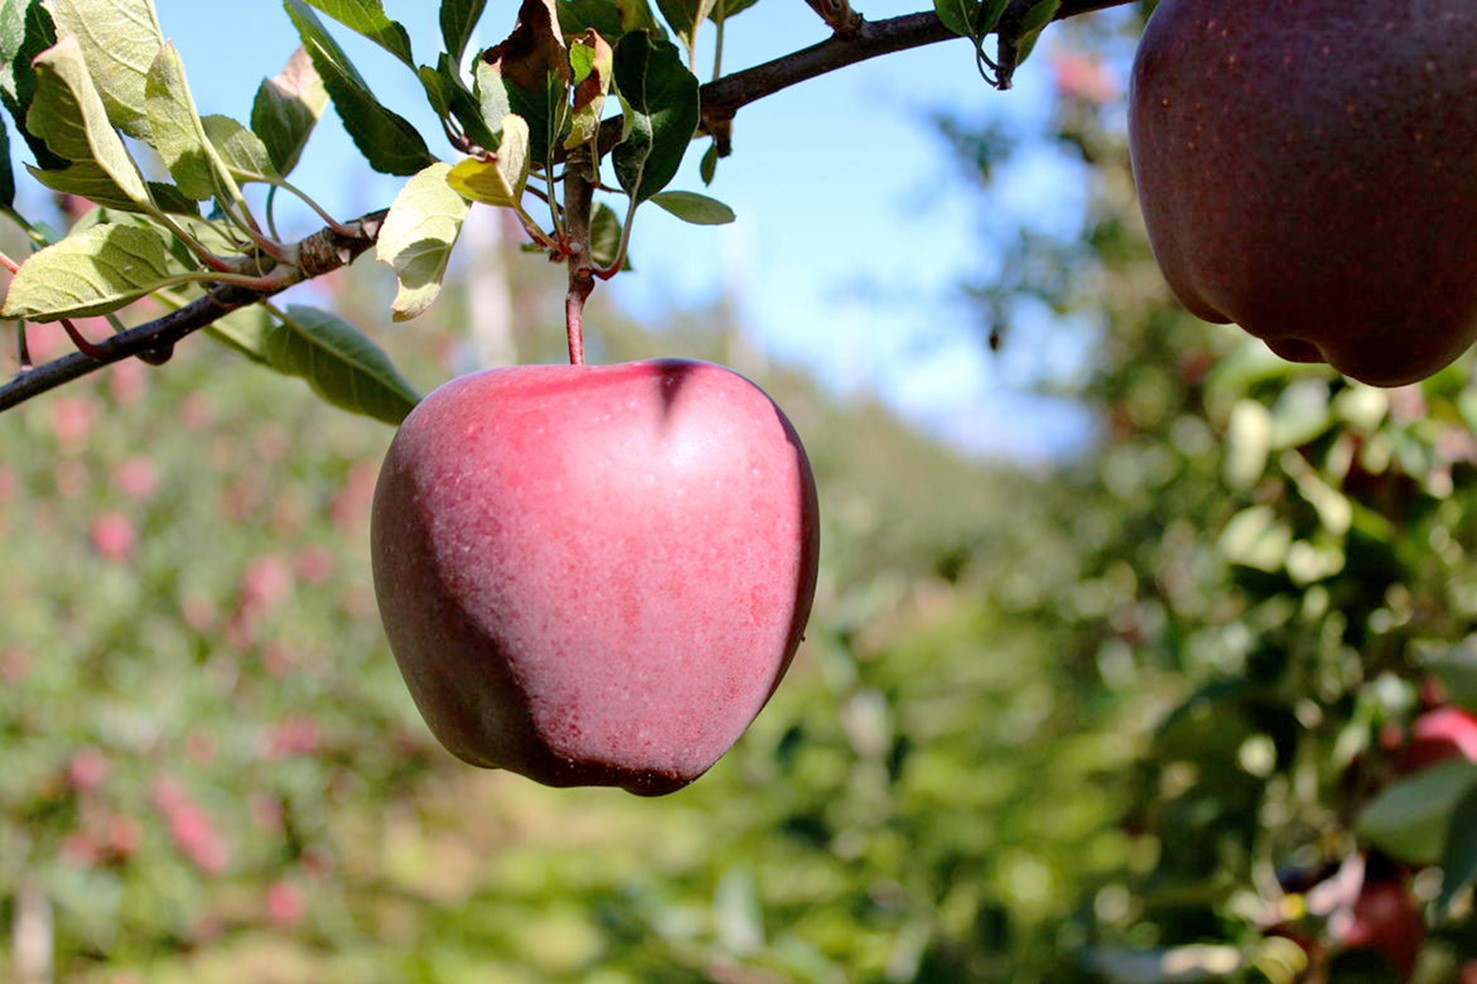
596,575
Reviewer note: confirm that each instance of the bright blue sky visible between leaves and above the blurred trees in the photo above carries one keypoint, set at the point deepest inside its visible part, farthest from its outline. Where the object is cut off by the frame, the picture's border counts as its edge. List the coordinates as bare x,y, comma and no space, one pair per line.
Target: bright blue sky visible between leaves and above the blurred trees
854,224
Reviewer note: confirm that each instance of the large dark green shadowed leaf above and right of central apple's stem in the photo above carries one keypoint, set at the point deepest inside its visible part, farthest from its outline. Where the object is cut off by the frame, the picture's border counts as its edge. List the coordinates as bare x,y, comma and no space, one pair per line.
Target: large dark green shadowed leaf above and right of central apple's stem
661,115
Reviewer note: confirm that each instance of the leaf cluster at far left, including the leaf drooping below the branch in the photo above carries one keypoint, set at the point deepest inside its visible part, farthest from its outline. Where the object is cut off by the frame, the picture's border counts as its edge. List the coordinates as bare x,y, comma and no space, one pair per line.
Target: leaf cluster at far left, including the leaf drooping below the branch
80,78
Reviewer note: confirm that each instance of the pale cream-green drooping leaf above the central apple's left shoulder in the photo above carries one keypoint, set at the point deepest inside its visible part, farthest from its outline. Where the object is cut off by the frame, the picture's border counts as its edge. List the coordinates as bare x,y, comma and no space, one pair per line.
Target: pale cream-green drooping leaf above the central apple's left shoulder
419,236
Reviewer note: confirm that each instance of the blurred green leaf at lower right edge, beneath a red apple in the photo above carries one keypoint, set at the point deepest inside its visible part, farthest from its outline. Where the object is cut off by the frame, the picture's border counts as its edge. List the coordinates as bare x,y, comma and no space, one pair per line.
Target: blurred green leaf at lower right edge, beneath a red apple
1411,816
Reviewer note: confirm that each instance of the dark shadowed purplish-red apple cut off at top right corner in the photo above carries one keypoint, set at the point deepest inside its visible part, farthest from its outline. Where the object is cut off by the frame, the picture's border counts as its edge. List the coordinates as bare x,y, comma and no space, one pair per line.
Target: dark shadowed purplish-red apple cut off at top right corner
1309,172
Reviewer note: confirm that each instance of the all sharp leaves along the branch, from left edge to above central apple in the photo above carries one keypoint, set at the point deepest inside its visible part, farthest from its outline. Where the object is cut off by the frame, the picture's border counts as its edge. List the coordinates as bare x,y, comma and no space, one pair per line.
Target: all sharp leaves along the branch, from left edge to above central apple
80,79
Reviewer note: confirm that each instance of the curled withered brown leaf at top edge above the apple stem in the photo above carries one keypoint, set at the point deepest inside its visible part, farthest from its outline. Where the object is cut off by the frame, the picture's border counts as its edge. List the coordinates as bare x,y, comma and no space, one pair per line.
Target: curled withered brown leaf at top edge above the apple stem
530,75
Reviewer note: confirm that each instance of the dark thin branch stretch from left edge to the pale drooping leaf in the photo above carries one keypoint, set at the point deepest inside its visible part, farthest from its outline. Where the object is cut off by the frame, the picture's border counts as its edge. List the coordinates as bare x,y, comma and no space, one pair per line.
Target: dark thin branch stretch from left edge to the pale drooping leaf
320,253
